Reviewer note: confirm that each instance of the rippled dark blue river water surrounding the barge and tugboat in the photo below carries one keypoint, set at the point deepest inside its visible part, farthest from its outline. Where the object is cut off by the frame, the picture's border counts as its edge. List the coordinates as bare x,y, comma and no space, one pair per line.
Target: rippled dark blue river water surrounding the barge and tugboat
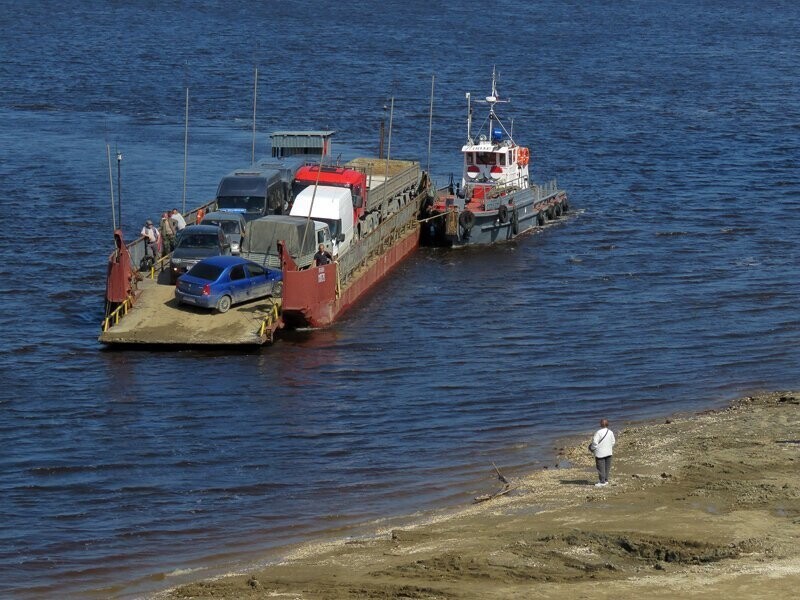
674,284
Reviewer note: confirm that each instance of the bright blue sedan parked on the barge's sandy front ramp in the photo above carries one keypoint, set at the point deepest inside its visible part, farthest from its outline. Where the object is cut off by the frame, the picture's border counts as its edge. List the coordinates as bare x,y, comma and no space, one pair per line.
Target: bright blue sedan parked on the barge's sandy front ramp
221,281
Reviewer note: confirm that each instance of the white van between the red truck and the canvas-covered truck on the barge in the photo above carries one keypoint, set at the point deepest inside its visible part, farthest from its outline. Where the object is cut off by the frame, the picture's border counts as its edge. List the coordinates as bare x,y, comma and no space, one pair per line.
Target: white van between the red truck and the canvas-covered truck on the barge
331,205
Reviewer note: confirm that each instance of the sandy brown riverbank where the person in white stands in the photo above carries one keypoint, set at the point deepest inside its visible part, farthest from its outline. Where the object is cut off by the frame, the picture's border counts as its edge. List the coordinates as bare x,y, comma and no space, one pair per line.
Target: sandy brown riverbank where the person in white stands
702,506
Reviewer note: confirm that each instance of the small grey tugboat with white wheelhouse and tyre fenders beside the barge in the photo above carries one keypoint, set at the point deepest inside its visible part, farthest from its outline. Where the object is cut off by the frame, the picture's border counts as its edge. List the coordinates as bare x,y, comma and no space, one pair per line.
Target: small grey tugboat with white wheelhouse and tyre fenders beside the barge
495,200
